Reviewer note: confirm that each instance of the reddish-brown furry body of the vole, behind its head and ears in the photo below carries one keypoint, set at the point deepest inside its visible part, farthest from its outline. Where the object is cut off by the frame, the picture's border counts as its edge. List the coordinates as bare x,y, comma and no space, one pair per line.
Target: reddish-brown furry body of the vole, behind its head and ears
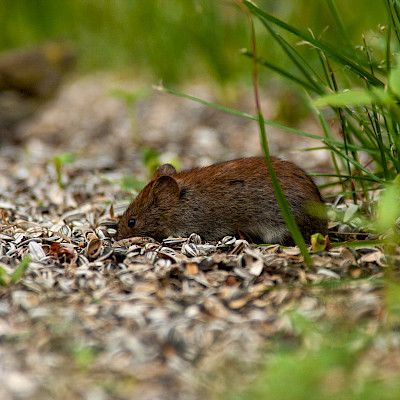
236,197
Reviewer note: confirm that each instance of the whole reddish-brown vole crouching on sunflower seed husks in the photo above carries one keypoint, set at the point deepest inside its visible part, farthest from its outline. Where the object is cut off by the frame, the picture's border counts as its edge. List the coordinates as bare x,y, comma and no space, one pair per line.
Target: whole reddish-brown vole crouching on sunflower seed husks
229,198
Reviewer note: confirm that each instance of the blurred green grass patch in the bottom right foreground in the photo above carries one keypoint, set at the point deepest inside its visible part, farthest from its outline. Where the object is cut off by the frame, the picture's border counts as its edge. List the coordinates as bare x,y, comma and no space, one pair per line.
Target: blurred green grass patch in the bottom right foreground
338,359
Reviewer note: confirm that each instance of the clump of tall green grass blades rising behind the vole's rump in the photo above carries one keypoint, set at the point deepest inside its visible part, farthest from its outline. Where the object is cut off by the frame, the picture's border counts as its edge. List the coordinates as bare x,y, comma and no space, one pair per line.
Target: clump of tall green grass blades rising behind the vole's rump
368,116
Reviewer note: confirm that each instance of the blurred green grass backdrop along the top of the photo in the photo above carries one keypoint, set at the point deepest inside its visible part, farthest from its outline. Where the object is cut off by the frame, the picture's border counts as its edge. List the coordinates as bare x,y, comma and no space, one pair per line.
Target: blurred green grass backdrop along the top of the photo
171,40
